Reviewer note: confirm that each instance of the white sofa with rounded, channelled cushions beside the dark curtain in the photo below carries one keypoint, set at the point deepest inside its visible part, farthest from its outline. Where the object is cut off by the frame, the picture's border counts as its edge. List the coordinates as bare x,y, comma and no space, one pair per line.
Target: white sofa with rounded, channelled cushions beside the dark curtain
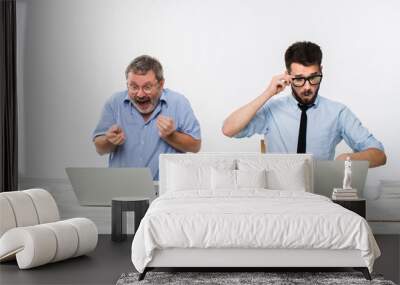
31,231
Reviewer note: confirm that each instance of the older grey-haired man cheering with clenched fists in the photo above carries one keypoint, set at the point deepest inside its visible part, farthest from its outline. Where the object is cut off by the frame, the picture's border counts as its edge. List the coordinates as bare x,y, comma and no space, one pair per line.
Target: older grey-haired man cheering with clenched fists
144,120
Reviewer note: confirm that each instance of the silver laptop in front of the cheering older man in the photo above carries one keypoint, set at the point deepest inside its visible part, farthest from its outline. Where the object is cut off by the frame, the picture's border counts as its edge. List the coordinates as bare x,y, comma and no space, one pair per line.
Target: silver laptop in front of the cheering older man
97,186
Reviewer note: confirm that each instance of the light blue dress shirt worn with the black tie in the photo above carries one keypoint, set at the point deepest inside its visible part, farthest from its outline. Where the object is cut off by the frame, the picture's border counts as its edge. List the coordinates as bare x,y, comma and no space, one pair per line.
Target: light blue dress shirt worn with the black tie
328,122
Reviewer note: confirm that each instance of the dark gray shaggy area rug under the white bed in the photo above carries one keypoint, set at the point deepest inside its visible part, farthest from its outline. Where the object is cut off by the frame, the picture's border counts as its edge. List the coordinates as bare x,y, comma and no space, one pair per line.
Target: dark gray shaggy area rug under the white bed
229,278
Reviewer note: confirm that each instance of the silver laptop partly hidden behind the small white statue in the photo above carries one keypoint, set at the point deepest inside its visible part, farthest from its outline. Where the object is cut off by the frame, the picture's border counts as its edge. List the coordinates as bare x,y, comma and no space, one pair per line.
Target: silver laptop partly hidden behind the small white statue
329,175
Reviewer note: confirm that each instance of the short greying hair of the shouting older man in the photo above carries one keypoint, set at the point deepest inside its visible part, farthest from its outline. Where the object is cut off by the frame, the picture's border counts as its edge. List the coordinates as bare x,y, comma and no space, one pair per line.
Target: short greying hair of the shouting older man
143,64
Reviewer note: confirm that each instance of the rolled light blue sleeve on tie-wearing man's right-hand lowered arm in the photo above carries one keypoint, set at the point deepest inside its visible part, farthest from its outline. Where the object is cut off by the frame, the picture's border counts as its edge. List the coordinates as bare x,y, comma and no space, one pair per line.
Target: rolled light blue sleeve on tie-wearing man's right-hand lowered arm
355,134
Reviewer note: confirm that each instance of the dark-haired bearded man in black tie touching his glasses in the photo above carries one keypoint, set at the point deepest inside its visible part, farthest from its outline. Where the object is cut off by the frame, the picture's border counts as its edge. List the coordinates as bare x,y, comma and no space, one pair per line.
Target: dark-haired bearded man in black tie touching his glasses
304,121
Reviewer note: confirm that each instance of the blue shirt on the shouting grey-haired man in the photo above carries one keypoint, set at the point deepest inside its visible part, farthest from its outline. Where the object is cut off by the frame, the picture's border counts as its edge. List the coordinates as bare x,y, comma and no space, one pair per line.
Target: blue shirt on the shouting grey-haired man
143,144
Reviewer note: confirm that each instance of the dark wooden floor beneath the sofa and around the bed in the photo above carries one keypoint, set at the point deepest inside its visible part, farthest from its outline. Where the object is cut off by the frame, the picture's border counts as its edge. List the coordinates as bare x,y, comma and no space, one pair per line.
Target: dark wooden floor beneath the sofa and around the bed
111,259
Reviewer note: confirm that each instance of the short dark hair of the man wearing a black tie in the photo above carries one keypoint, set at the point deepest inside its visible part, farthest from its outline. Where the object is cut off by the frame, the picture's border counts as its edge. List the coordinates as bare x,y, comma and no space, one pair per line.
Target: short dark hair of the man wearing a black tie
305,53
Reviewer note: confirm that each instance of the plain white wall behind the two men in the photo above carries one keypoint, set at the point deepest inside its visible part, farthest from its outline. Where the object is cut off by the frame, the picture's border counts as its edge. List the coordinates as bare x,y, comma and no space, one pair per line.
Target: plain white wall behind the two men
220,54
